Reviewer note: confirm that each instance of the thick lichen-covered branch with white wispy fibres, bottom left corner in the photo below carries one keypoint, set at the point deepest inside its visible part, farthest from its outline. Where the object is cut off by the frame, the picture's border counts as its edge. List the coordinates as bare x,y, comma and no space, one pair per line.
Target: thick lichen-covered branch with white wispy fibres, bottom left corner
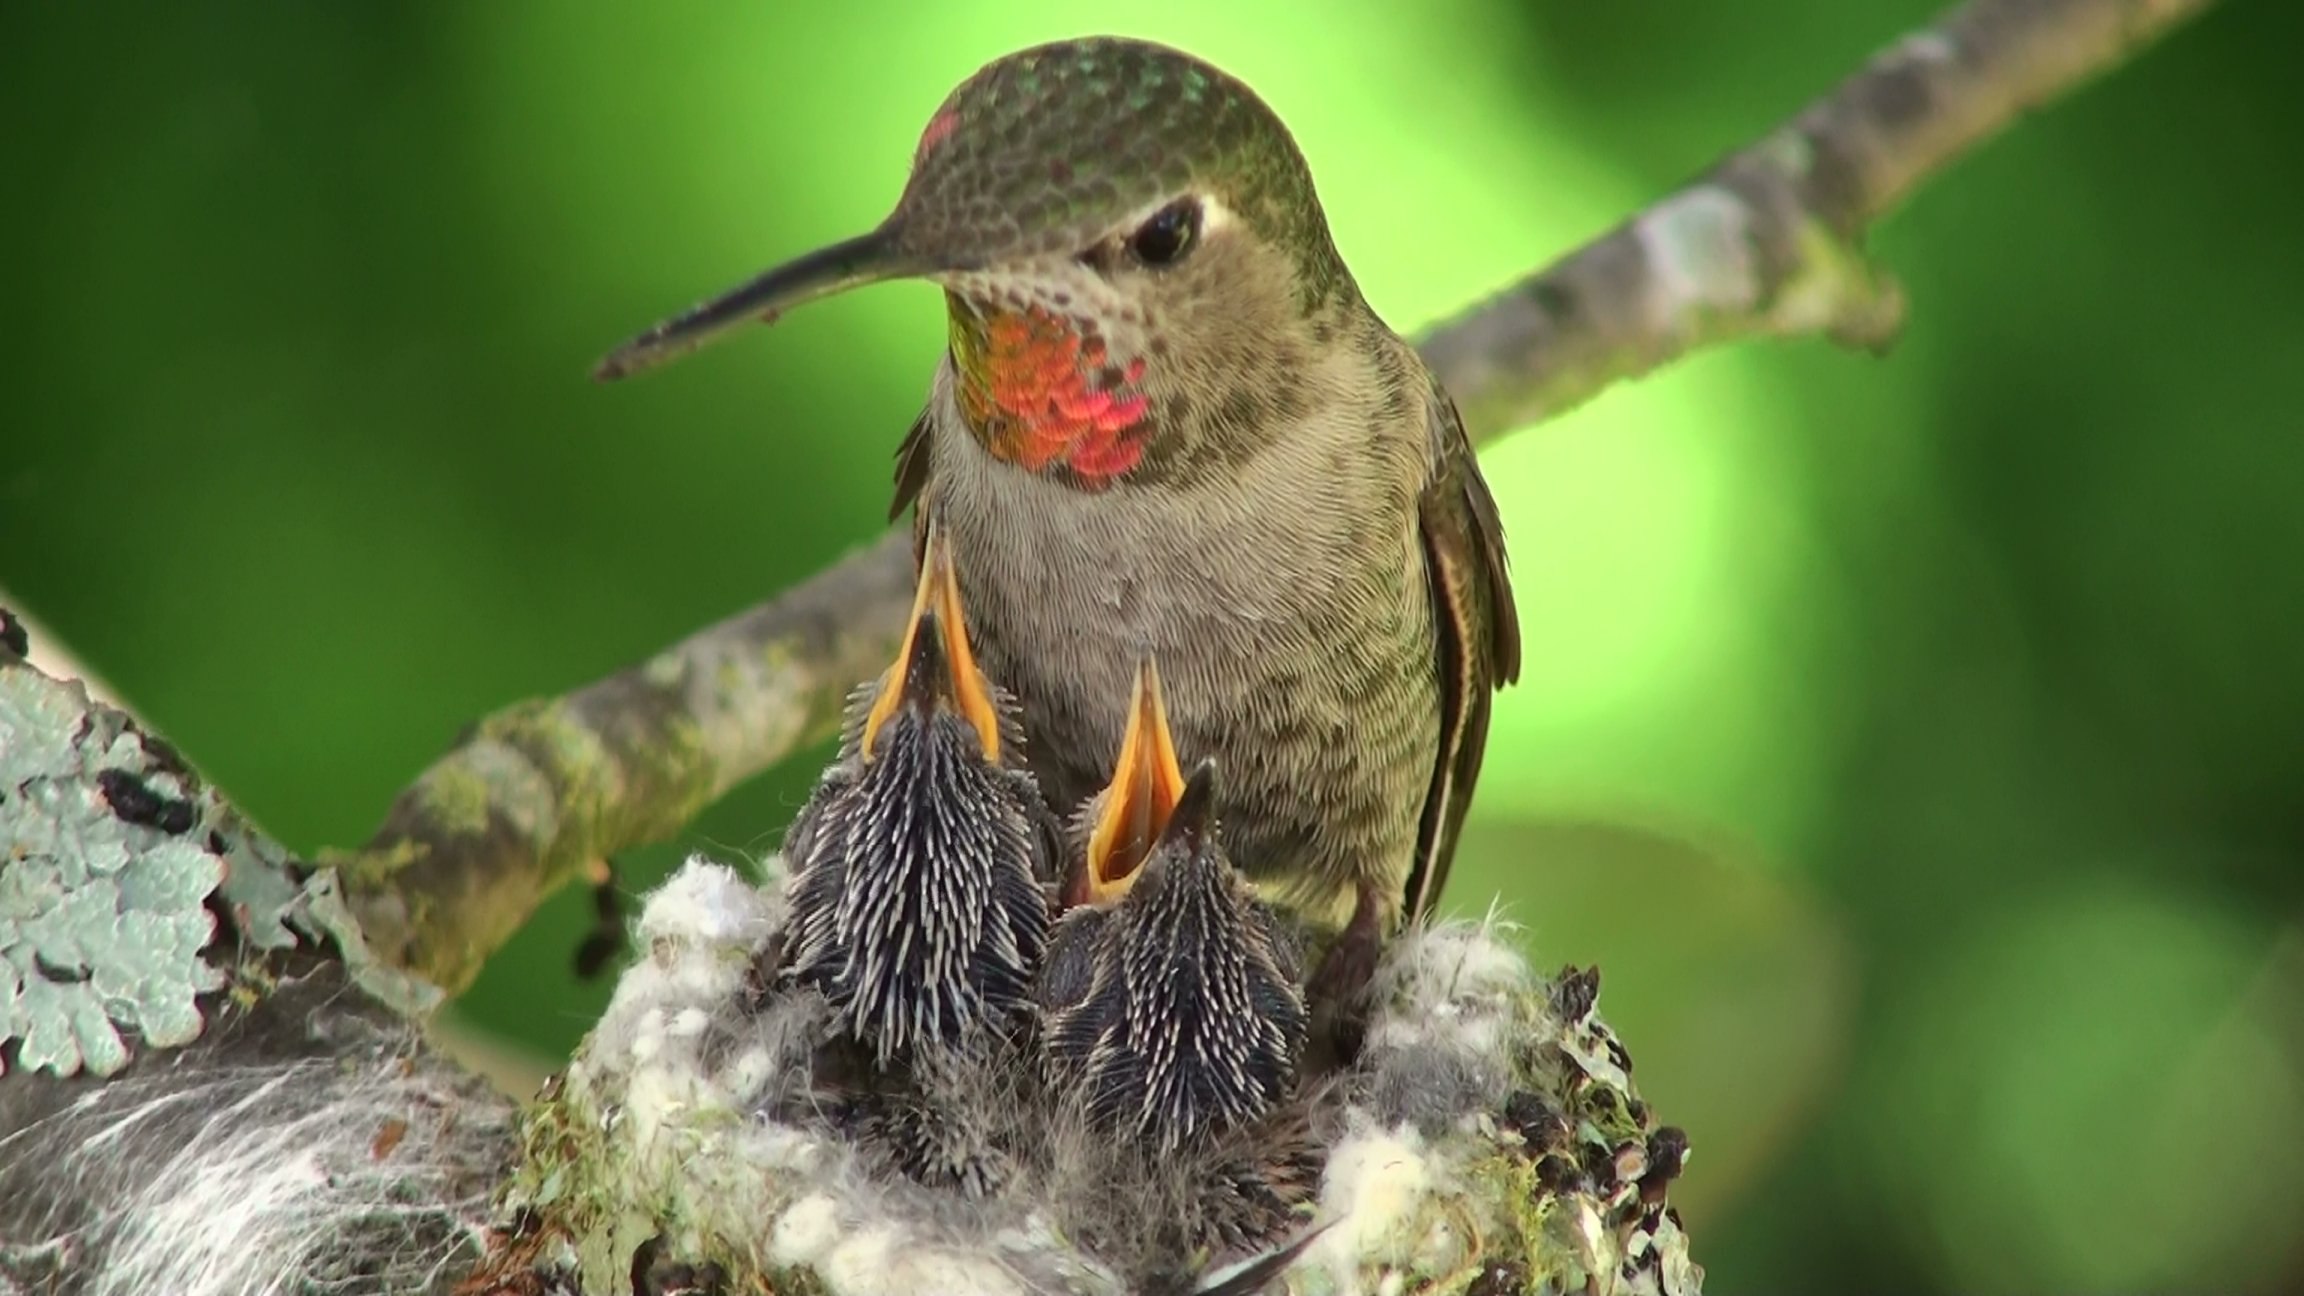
206,1085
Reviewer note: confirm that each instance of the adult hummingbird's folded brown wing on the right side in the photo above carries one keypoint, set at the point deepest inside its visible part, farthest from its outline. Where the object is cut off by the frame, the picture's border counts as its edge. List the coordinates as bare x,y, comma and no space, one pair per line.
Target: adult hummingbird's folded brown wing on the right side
1478,633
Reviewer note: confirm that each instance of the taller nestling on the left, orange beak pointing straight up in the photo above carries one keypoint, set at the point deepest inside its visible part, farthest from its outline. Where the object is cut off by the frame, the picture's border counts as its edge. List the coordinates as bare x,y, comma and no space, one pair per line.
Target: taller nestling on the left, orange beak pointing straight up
920,864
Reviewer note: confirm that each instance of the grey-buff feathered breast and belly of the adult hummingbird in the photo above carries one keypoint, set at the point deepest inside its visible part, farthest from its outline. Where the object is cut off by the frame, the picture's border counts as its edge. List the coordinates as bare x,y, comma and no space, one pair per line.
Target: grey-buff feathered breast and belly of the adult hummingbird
1287,603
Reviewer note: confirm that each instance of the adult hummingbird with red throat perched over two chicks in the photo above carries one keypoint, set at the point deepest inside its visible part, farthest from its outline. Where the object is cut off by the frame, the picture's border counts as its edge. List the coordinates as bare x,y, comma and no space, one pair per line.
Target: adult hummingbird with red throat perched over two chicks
1172,425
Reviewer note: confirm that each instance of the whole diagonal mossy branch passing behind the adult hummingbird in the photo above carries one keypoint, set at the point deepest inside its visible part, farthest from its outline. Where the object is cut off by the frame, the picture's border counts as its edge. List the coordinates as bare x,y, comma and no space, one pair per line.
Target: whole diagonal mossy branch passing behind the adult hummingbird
1766,243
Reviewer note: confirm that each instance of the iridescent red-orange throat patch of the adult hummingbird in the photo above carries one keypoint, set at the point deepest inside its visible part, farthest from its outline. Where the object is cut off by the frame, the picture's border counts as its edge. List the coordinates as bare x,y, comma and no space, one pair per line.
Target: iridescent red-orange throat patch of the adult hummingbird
1040,393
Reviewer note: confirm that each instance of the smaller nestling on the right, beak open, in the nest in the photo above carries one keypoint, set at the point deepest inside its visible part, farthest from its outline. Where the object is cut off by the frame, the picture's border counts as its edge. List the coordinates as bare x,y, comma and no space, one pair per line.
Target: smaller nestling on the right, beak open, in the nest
1172,1002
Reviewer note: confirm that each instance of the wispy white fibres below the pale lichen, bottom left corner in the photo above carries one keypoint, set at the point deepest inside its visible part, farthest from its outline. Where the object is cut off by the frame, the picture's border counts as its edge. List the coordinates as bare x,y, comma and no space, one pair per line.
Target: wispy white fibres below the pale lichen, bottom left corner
351,1173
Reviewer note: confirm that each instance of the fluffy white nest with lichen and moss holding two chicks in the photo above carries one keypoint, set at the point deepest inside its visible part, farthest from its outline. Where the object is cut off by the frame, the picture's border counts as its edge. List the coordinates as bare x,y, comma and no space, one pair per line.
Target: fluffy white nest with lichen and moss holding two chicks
1485,1140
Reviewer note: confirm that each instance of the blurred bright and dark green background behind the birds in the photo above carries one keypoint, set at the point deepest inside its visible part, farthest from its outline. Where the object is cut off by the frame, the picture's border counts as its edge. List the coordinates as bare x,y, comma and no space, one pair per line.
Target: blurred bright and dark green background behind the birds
1916,744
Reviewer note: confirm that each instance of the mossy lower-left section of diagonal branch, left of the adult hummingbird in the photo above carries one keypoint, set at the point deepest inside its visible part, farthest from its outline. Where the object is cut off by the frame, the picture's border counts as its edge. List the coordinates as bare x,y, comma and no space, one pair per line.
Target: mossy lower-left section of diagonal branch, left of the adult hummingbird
545,788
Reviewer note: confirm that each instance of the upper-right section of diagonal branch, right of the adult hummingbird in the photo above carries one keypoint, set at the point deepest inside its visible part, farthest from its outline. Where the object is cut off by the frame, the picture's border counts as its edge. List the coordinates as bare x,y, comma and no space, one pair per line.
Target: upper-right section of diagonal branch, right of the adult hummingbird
1768,243
